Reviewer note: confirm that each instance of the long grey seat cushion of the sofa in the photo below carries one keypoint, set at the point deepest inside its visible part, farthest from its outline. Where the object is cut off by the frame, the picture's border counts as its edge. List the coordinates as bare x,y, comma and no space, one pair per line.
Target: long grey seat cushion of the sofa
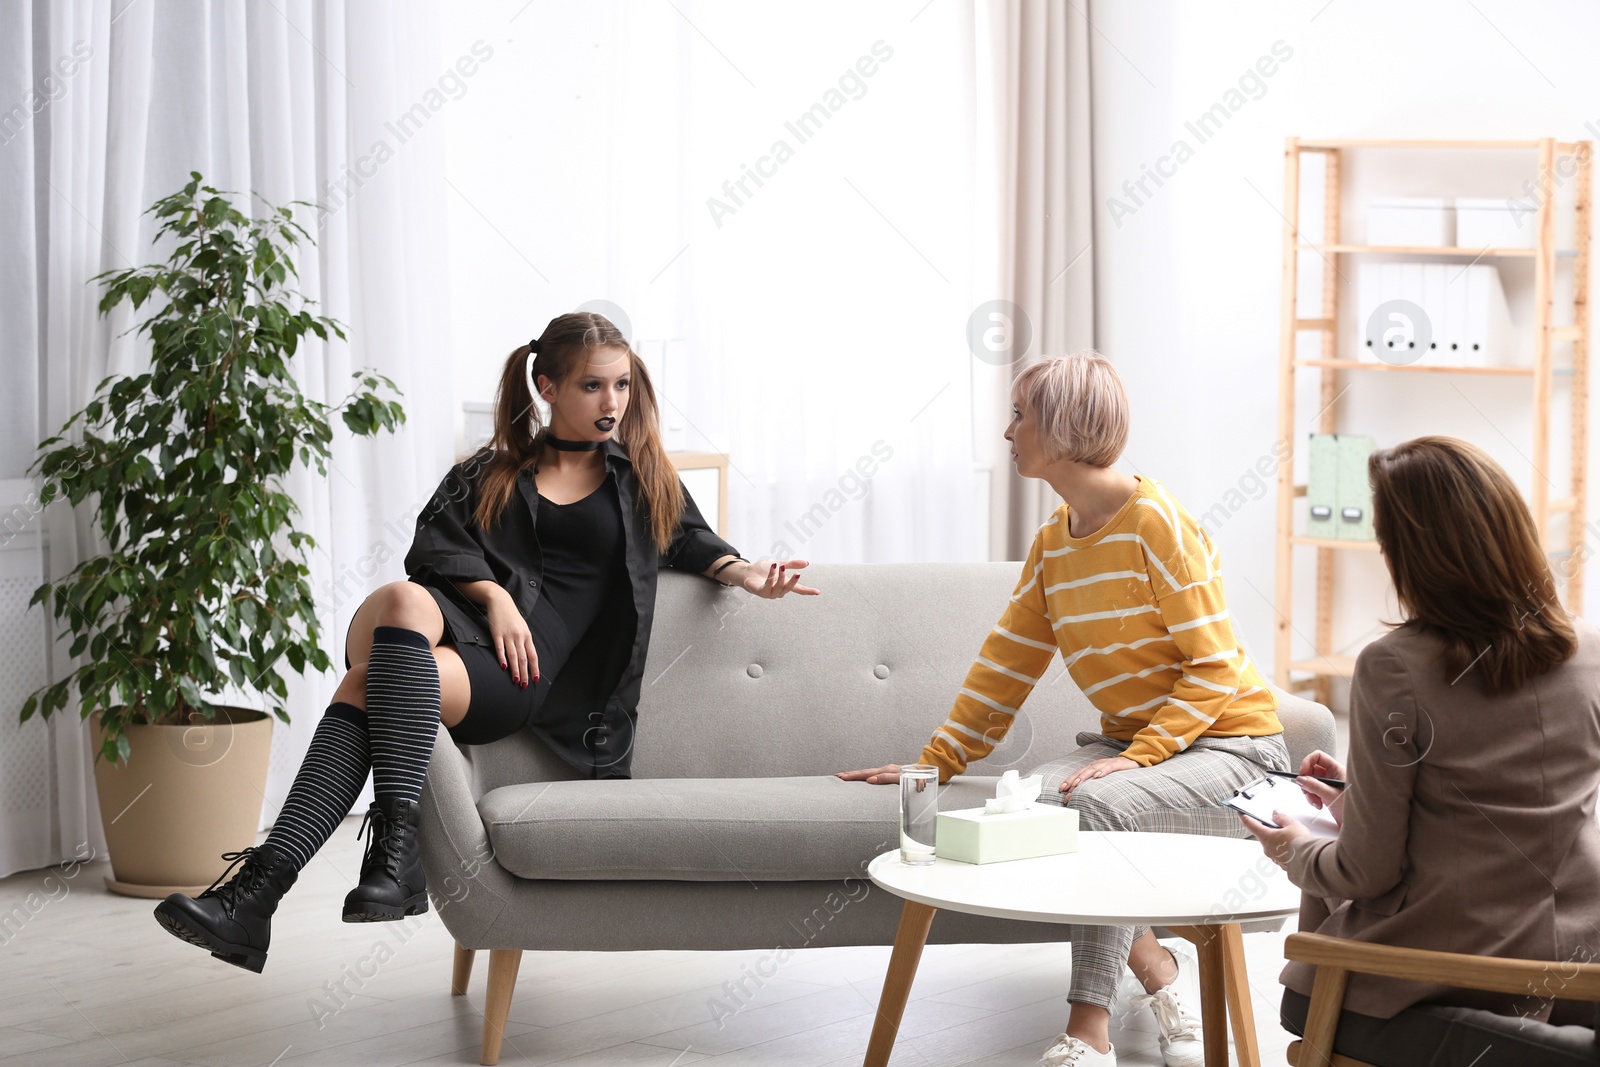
702,829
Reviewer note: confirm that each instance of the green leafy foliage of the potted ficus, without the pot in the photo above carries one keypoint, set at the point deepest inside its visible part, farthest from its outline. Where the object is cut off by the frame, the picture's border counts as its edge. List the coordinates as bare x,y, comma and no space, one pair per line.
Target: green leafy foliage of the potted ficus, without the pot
182,471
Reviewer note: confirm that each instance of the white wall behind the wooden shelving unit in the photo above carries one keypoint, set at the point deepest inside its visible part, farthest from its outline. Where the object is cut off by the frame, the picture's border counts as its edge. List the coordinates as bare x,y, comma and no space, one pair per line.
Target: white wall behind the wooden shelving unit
1190,282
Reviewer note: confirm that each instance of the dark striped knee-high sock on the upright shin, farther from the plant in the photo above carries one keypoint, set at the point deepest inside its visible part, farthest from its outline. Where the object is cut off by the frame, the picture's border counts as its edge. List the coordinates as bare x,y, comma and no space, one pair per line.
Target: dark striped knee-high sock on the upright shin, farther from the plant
402,711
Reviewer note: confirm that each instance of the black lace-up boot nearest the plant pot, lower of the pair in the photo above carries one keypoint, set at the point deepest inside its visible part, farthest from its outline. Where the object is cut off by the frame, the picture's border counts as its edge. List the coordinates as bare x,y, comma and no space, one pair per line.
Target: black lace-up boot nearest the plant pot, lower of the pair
234,921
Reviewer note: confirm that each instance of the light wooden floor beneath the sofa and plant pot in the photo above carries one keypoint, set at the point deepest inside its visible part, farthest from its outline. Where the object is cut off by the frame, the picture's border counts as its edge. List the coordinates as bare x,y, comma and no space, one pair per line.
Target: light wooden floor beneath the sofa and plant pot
90,980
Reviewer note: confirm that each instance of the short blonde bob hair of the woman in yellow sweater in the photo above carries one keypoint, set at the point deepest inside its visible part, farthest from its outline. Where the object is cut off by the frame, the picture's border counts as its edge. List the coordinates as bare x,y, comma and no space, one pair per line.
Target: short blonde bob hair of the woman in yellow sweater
1079,406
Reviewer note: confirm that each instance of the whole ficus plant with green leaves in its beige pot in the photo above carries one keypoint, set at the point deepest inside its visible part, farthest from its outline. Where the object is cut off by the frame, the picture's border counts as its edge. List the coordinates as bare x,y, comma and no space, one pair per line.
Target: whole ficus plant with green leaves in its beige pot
202,585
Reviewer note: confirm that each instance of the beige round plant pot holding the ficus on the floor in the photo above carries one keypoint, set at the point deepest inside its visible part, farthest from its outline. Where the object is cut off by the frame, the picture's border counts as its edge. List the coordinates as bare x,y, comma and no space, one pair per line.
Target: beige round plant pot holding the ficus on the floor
186,796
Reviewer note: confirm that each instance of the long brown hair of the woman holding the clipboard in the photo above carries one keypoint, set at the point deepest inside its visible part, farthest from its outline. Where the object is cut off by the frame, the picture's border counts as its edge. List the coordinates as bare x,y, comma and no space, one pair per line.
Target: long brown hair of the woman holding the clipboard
1466,561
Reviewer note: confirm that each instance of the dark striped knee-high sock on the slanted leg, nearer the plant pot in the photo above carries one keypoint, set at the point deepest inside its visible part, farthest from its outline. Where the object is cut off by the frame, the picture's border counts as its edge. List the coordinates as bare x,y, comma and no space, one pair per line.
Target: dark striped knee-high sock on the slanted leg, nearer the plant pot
327,785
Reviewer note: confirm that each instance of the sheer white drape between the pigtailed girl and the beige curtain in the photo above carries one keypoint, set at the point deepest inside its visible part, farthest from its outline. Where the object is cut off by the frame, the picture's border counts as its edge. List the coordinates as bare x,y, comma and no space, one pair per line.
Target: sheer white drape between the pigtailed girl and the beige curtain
828,311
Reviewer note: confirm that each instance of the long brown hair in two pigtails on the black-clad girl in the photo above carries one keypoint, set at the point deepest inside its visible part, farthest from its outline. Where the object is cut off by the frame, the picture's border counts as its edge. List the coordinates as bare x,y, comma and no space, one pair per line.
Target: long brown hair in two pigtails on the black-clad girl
519,431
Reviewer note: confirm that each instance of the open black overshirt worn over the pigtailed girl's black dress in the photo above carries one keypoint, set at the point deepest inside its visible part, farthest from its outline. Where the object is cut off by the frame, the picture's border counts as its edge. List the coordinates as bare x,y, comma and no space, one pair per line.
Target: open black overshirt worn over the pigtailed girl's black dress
591,716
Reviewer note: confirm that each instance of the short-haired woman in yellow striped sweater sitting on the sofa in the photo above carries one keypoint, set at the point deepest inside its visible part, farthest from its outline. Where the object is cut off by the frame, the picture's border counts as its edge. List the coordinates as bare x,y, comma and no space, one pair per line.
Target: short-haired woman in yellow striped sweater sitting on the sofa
1126,586
